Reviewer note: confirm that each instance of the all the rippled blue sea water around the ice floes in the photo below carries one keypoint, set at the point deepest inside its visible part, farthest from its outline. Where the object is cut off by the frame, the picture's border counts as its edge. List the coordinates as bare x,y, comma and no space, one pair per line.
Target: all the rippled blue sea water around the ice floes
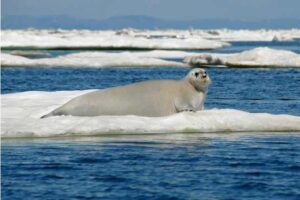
166,166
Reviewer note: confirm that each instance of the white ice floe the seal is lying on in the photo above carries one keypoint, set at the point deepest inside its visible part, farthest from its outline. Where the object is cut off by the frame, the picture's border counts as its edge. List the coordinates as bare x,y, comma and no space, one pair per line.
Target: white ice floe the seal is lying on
21,114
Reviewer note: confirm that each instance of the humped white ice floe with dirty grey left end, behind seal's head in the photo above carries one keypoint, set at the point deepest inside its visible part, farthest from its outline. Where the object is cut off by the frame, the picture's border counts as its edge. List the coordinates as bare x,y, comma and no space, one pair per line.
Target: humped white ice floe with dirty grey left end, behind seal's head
257,57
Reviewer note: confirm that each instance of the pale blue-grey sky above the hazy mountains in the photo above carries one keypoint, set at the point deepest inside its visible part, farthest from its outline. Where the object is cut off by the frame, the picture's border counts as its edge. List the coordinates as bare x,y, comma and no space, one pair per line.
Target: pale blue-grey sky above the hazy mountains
249,10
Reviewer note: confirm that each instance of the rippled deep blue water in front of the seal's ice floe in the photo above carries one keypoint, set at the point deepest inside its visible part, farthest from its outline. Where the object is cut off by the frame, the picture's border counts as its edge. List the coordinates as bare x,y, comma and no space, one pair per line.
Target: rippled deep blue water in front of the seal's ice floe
186,166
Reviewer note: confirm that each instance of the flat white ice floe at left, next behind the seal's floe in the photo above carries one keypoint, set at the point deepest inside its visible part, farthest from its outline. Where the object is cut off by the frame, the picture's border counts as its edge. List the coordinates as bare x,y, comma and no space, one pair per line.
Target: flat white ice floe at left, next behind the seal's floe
100,59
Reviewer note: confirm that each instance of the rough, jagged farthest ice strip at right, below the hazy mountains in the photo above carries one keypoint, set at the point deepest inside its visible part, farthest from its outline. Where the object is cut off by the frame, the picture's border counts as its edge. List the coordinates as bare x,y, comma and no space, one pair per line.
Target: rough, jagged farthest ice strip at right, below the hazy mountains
227,35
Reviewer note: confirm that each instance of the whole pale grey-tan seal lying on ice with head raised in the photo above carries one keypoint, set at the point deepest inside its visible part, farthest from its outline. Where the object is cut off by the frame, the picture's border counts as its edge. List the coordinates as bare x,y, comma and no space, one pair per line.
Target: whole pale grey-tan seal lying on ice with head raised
148,98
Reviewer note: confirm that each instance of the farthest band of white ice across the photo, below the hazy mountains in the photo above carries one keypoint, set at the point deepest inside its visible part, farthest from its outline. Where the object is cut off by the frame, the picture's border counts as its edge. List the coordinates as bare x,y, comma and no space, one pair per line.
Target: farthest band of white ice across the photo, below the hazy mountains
138,39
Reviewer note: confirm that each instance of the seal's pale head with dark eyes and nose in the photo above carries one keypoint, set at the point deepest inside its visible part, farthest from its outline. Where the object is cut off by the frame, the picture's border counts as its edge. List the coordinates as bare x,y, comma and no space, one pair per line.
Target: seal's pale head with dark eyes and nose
199,79
